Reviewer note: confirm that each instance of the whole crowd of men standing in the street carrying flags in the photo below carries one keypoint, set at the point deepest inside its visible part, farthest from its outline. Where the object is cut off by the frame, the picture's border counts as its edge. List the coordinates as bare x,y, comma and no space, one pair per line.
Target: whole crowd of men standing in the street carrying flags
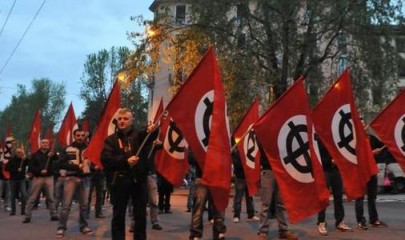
68,176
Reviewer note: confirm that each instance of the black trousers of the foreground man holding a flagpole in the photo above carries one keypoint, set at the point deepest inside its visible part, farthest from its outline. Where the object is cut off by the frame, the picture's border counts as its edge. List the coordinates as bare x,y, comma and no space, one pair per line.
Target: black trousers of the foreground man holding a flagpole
124,189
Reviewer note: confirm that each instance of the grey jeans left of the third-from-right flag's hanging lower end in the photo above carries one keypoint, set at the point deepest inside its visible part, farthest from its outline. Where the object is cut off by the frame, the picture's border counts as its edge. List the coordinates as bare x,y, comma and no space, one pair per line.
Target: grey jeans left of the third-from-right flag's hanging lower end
269,190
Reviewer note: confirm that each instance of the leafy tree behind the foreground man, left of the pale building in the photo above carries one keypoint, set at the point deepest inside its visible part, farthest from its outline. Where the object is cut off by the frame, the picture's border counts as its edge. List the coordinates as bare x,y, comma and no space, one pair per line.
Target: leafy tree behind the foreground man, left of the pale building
100,72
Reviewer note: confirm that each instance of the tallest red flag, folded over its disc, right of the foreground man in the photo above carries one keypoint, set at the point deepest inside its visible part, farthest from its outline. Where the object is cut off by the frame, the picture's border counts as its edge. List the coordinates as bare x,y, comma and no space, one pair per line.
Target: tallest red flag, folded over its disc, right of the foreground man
199,110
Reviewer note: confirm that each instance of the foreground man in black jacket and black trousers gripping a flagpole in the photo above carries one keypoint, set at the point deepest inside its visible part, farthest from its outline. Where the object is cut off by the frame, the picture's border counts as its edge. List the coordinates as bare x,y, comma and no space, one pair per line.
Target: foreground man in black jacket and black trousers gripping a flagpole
123,157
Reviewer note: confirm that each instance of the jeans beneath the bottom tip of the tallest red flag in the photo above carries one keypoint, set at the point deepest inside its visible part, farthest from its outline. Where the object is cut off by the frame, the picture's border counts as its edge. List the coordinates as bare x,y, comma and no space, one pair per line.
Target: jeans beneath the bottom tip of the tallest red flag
202,195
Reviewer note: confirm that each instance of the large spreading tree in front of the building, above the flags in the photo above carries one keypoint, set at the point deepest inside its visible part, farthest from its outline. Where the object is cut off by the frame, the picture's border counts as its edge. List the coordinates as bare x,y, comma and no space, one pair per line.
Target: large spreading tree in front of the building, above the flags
264,45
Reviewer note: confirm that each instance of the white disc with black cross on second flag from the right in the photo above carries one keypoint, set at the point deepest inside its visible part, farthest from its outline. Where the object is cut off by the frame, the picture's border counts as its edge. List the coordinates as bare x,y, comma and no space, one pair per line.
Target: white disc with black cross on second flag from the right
339,134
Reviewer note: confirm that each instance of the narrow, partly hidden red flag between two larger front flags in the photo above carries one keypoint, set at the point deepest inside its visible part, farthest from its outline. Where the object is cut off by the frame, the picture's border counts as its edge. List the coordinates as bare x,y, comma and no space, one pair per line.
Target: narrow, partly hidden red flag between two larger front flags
248,149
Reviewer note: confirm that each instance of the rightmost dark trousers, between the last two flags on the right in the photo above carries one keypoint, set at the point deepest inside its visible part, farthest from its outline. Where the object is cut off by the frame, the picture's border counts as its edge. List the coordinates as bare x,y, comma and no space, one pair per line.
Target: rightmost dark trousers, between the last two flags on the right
371,202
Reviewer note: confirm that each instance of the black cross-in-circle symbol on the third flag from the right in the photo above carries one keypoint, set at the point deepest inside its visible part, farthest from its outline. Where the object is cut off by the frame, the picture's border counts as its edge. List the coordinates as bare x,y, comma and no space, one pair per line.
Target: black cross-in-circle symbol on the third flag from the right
302,150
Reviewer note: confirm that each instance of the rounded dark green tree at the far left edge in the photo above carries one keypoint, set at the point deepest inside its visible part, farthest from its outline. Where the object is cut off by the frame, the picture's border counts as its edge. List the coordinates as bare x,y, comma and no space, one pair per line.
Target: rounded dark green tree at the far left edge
45,95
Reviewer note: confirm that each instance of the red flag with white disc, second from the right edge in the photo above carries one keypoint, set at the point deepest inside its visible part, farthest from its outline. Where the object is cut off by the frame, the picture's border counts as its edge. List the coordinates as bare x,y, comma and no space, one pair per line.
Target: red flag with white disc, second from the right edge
338,124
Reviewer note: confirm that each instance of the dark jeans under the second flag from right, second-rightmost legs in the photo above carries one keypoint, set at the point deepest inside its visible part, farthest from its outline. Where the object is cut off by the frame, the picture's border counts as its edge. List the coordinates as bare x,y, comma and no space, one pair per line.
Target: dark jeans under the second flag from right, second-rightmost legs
334,181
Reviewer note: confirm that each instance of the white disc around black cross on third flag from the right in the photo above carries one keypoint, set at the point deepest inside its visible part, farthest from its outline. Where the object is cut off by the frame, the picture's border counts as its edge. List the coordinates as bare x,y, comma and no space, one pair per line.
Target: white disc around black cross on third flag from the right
295,145
